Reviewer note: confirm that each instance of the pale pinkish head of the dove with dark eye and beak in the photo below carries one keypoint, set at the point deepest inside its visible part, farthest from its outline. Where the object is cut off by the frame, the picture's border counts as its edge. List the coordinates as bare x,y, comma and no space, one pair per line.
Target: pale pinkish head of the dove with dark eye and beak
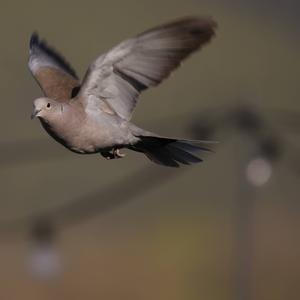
46,108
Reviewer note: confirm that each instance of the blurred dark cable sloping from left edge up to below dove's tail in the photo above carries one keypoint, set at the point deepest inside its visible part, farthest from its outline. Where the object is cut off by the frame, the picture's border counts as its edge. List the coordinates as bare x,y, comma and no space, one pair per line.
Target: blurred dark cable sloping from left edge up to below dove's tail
101,201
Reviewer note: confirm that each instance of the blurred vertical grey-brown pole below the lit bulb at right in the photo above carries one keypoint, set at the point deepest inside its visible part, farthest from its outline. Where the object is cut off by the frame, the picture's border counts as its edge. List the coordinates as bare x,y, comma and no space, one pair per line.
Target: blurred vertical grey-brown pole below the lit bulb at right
244,220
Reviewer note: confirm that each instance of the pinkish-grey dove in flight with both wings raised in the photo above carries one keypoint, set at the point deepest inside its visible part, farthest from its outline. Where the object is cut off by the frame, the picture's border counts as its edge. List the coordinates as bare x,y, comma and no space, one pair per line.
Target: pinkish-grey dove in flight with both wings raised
93,116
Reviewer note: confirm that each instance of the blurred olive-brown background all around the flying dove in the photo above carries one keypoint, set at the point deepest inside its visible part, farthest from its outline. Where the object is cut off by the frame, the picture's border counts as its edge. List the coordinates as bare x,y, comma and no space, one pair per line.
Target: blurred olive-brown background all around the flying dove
74,227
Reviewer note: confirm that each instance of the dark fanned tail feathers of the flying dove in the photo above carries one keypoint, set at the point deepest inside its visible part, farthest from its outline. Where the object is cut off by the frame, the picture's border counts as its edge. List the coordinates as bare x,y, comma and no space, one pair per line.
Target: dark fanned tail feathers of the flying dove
170,152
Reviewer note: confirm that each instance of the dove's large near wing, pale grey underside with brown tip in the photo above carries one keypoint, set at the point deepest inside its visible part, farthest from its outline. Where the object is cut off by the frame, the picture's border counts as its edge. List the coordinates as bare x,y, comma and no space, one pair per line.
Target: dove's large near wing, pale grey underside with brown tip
117,78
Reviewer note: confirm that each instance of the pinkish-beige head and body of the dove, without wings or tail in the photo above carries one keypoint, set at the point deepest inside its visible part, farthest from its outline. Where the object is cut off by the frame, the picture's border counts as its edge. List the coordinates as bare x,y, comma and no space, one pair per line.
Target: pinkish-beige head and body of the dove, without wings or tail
80,131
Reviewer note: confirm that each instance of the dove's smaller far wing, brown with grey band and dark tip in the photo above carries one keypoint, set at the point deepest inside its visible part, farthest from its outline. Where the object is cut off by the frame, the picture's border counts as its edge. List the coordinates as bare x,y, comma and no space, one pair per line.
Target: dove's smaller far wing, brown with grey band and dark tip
54,75
